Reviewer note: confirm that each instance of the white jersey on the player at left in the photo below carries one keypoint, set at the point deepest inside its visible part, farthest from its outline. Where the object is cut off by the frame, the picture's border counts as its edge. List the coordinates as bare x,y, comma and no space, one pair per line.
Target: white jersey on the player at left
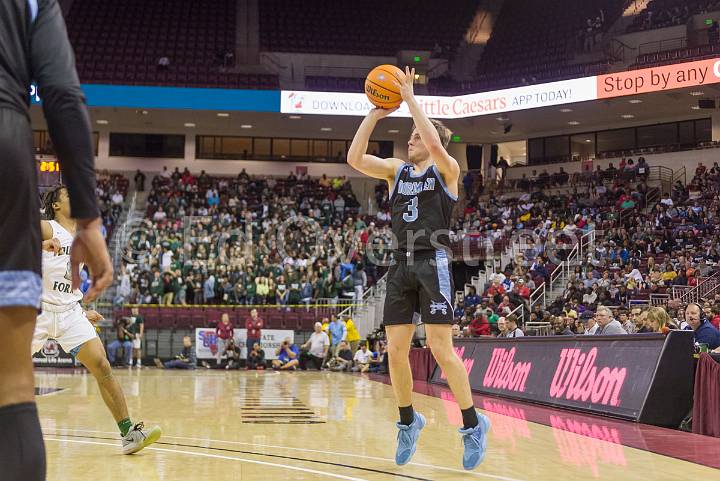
57,274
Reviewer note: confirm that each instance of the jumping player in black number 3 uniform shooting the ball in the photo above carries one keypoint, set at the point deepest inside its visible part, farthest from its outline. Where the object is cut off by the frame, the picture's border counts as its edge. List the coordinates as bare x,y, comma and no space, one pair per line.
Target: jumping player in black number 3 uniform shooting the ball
422,195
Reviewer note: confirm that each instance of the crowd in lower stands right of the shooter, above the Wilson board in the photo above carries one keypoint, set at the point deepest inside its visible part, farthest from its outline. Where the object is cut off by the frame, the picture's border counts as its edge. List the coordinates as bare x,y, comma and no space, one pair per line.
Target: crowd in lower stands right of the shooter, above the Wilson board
673,243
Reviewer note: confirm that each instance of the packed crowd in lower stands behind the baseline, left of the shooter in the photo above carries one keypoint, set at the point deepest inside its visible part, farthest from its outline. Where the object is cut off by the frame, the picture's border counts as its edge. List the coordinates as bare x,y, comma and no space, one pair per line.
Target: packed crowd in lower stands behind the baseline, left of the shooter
251,240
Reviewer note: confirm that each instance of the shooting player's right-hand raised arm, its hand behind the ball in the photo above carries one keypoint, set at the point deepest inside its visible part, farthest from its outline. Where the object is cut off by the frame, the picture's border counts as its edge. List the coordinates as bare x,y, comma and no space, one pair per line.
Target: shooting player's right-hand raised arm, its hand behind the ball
446,164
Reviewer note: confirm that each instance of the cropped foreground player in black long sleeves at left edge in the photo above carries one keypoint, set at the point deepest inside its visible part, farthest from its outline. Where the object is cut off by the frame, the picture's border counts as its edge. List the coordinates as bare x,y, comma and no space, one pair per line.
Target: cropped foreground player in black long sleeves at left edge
34,47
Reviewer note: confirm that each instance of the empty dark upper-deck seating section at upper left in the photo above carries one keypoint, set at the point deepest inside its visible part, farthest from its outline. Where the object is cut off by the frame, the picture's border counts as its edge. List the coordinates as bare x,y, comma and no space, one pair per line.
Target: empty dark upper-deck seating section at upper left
120,42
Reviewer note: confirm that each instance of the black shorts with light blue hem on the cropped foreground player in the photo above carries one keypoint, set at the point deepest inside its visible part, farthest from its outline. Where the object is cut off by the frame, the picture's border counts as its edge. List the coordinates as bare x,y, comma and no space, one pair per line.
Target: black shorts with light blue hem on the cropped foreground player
20,239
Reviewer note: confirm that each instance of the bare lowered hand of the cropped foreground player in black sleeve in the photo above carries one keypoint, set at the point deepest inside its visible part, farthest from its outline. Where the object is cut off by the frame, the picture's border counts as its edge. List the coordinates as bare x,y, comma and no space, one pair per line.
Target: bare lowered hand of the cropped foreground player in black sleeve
89,248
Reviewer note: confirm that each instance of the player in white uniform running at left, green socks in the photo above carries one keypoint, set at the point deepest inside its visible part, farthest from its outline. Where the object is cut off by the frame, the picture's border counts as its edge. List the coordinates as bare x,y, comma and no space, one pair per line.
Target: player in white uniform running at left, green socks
64,320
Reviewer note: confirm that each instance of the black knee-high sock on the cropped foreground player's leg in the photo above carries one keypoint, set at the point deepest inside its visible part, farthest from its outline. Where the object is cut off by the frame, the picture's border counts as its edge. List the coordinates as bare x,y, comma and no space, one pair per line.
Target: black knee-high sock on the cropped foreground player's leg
22,451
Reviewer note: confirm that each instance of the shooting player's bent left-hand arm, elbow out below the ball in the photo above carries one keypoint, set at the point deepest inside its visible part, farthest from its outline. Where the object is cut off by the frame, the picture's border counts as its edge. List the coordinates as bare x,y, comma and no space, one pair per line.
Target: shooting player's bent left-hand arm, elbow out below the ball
369,164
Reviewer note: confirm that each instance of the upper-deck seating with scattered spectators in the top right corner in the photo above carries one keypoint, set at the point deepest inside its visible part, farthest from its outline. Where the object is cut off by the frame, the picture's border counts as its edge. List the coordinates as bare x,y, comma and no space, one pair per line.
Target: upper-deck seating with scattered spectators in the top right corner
666,13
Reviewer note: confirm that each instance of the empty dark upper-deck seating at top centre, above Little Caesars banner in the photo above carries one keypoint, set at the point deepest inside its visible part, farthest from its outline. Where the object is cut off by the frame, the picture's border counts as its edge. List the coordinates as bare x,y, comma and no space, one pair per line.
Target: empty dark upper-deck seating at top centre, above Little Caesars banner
348,27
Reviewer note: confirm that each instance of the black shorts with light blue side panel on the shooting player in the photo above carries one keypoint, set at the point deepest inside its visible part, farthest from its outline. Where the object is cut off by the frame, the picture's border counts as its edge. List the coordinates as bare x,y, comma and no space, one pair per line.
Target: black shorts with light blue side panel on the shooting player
423,285
